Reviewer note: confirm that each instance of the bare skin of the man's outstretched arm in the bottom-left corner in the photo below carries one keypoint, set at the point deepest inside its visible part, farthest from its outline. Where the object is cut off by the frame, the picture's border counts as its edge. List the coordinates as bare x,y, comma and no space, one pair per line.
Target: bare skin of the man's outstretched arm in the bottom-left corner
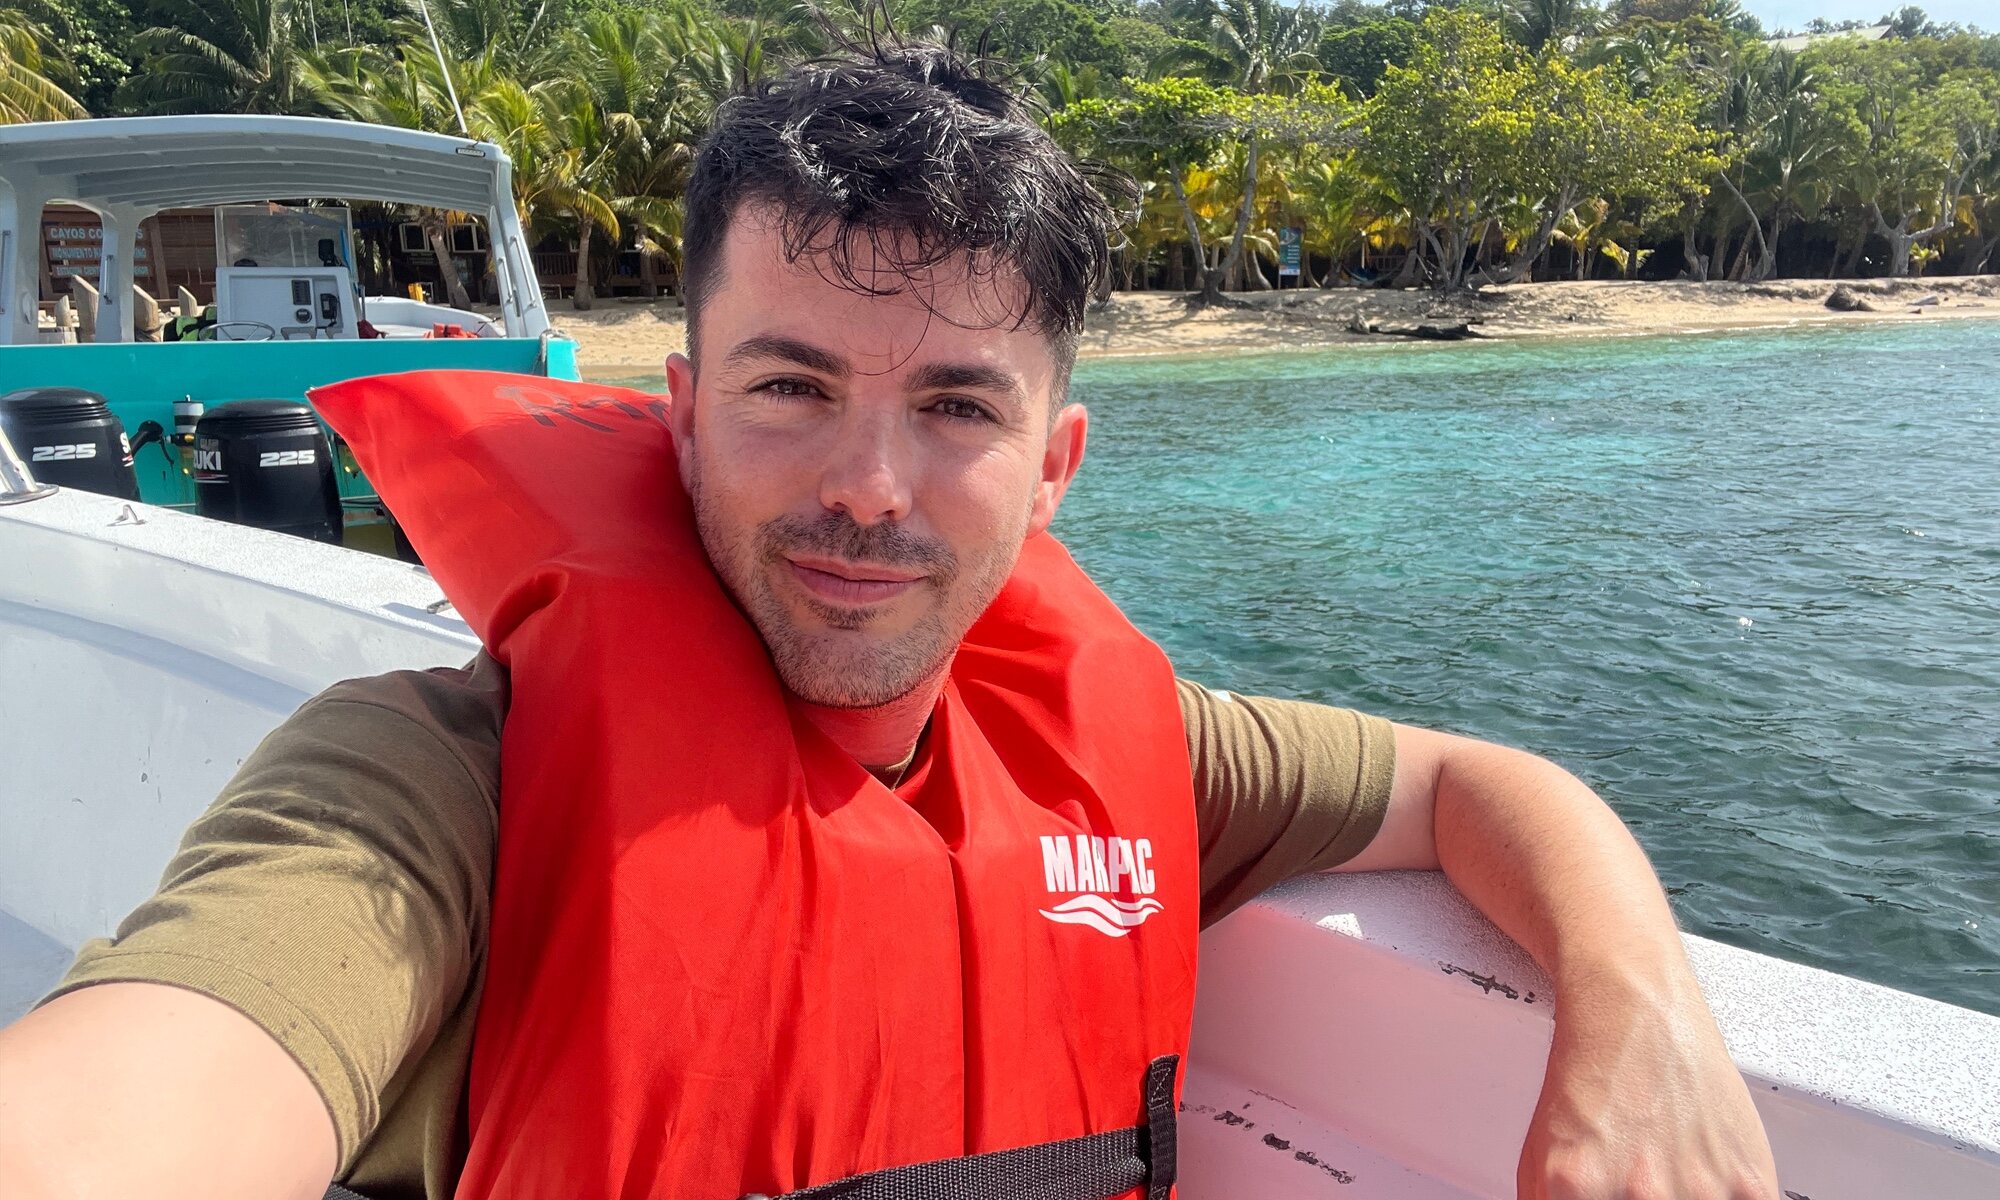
151,1077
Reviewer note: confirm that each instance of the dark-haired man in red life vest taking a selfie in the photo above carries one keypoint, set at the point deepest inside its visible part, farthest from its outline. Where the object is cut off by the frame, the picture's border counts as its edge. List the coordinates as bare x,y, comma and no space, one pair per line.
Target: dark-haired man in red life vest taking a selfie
889,265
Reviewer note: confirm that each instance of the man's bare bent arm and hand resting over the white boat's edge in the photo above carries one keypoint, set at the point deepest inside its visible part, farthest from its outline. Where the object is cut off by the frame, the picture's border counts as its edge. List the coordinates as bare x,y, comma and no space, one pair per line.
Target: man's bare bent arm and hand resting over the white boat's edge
1641,1099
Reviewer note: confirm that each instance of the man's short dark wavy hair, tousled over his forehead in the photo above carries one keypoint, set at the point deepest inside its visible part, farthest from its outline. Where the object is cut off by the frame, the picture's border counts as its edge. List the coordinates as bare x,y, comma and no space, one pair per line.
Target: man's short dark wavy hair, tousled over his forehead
901,159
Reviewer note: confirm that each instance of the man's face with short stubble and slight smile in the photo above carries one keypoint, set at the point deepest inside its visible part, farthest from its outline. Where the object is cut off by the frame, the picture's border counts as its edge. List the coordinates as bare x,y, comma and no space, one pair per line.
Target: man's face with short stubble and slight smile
865,469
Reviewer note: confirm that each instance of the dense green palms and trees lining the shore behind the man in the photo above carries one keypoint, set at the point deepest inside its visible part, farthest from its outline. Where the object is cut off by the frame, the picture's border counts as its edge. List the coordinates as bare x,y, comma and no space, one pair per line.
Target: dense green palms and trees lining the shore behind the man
1483,137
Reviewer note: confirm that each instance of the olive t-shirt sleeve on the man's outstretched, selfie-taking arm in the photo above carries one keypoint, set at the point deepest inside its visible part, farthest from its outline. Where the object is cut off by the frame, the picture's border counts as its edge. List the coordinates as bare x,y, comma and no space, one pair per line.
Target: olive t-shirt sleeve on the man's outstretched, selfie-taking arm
337,889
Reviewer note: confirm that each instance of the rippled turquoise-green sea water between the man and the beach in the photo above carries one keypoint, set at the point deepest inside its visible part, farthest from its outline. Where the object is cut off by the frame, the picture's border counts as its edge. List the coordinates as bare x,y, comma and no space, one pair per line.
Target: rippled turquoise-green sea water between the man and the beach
1745,585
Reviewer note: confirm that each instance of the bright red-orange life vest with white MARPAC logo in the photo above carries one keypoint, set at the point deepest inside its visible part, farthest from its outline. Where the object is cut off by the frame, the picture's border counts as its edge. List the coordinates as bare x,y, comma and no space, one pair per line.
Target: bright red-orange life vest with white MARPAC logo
727,959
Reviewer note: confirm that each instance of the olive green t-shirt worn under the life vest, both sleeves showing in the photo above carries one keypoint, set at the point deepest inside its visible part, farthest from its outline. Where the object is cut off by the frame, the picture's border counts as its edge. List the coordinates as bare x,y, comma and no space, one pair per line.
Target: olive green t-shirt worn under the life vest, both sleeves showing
337,893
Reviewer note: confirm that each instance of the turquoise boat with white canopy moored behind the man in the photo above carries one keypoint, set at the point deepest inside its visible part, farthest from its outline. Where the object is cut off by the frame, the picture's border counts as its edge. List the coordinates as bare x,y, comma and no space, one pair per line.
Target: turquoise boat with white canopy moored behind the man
287,307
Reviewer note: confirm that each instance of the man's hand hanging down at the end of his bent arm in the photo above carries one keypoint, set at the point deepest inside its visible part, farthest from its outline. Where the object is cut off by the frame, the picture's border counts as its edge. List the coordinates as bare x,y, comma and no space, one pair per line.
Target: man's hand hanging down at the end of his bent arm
1643,1103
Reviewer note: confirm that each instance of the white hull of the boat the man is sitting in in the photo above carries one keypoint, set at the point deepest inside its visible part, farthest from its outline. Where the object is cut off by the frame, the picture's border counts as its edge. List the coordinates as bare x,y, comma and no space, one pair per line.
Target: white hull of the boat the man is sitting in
1363,1037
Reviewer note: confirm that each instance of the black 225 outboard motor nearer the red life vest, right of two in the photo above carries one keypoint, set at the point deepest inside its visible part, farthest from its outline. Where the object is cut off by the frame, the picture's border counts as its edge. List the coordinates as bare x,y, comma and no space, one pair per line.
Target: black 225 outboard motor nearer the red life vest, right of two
267,465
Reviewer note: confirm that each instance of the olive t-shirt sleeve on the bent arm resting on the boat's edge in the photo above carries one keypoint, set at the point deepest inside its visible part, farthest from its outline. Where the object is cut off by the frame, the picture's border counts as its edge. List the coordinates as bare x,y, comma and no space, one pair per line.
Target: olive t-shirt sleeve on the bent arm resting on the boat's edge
1281,789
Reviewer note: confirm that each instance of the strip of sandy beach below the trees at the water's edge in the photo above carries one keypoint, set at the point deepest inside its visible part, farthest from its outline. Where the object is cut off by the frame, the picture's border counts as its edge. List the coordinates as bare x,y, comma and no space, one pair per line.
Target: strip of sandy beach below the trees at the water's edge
623,339
